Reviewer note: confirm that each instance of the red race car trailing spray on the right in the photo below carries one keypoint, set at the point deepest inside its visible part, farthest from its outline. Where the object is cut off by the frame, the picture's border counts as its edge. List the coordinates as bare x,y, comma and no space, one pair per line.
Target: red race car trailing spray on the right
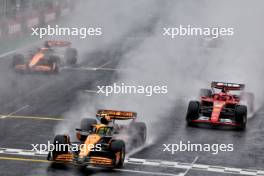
221,105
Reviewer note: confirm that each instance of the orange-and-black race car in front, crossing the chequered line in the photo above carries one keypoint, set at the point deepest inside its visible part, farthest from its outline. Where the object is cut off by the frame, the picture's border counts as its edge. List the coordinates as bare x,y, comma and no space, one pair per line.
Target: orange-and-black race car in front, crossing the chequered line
98,143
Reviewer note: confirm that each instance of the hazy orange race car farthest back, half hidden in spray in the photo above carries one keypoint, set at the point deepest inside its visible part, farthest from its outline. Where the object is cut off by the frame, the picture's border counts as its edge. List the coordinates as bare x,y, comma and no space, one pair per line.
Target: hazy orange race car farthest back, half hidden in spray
47,59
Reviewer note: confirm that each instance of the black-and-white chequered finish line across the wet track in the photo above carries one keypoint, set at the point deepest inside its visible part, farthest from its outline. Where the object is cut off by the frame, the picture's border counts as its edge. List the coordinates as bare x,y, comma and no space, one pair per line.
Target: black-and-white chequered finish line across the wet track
156,163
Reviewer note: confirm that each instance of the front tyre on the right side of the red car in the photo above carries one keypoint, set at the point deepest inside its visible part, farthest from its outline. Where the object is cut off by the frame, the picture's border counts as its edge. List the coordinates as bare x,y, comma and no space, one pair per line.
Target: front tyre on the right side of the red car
241,117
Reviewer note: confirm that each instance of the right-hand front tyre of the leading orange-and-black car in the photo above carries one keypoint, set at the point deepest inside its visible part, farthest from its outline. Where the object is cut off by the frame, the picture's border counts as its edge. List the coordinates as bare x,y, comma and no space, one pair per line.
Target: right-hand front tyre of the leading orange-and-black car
119,152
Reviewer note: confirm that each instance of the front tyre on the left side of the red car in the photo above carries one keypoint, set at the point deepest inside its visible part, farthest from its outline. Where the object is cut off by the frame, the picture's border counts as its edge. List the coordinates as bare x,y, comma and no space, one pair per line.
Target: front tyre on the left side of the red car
193,112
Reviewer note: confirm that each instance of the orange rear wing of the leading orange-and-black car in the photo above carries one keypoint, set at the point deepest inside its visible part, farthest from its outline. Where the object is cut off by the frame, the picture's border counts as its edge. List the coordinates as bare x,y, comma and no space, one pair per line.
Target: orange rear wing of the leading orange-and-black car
116,115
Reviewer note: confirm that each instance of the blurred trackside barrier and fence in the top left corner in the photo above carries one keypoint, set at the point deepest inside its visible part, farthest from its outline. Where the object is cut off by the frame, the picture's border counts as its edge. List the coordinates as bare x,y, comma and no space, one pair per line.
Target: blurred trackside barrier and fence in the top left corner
19,16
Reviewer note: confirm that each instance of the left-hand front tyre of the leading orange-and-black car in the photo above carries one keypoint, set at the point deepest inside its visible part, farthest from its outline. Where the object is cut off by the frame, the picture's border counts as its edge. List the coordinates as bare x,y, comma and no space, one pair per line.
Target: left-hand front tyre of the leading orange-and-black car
58,141
